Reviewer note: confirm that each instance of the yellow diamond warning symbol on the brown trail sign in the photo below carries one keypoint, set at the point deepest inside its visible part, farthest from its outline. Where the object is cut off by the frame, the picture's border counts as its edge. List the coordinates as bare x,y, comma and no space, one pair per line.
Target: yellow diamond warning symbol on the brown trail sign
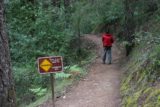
46,65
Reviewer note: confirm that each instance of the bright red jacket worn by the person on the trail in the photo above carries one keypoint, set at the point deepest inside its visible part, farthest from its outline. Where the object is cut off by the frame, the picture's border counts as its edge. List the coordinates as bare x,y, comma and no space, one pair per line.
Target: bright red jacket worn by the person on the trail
107,40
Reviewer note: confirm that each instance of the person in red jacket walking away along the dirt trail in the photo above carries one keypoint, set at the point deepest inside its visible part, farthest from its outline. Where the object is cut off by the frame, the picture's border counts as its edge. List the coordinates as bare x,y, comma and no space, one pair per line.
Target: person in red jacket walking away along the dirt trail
107,40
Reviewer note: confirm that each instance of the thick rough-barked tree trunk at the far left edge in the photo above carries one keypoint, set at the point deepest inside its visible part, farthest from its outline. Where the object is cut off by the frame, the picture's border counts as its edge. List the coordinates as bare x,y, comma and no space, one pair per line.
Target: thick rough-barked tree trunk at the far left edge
7,93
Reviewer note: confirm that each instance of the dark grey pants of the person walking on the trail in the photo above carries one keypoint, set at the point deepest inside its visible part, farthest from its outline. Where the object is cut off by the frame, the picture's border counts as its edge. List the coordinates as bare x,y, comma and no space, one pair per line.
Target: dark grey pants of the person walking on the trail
108,54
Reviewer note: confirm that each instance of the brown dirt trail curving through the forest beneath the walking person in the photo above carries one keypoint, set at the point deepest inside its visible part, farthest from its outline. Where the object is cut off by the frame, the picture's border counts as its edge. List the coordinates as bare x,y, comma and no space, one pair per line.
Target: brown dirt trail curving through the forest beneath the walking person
100,88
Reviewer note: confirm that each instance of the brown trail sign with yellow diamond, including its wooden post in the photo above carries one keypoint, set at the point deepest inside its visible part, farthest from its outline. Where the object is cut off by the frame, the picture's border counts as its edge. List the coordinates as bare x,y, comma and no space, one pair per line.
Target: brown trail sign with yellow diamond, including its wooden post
50,65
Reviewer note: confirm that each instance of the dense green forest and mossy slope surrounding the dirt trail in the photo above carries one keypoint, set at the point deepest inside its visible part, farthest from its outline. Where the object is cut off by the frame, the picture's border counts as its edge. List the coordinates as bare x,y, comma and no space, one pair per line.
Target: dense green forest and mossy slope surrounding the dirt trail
38,28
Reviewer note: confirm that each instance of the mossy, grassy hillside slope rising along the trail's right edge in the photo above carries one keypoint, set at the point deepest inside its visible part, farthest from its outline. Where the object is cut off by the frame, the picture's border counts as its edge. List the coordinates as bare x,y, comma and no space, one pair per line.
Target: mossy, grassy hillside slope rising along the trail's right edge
140,86
